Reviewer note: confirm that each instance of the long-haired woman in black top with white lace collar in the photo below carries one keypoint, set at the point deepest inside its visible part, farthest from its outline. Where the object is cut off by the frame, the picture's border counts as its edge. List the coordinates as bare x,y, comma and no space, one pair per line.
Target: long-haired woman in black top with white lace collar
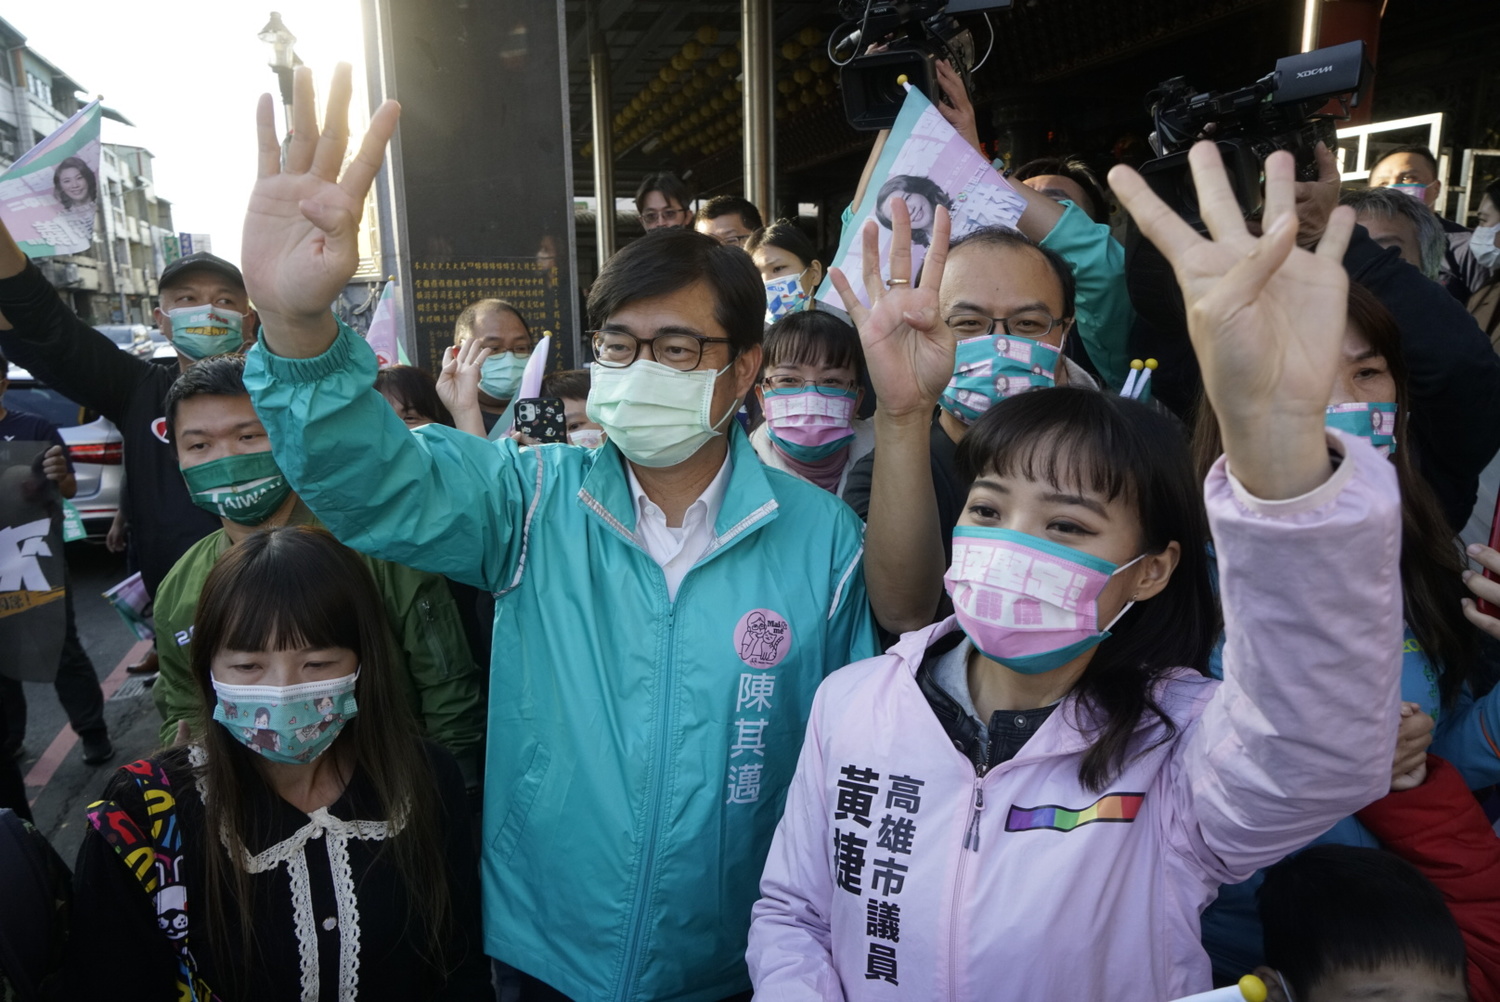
320,847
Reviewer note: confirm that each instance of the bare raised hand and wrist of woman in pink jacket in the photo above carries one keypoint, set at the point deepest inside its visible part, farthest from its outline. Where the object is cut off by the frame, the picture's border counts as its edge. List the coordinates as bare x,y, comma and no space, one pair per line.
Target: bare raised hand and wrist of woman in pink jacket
1267,317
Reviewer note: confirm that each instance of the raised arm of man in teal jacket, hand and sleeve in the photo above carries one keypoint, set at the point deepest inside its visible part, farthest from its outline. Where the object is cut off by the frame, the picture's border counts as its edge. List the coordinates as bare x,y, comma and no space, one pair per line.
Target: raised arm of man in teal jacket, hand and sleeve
436,500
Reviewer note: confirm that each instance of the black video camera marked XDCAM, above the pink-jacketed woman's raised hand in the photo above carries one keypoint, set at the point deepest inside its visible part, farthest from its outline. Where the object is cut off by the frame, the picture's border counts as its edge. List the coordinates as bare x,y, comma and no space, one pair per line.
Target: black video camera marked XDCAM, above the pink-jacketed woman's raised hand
1276,113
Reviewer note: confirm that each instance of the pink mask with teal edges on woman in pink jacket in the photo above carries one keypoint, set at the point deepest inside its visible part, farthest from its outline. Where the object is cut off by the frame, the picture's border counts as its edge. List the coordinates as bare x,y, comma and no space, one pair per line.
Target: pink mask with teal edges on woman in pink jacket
1027,602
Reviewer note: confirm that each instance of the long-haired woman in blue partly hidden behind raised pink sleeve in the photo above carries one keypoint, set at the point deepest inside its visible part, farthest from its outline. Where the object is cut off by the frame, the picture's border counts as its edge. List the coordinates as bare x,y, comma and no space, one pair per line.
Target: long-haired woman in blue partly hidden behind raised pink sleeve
1445,674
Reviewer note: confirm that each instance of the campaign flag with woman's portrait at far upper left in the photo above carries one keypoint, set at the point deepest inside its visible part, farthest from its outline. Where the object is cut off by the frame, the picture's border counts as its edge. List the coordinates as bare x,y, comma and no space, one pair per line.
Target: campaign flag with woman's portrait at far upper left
49,199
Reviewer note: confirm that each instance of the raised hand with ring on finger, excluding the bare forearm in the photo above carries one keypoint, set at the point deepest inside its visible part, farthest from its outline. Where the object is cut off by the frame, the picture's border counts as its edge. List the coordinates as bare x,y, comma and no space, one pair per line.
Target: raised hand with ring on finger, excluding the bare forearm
908,350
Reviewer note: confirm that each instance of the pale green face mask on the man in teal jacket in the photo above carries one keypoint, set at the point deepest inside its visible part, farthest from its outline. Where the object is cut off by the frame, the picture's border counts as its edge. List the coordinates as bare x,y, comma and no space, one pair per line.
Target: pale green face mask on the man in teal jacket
658,416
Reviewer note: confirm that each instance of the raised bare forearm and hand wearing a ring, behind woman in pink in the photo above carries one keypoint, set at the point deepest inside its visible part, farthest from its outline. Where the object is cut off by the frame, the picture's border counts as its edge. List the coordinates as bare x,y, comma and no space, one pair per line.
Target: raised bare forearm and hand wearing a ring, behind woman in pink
910,353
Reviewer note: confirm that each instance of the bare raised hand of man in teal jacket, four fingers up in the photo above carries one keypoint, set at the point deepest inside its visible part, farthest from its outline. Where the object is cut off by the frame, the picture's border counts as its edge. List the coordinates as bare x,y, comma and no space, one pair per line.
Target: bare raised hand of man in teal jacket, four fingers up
301,230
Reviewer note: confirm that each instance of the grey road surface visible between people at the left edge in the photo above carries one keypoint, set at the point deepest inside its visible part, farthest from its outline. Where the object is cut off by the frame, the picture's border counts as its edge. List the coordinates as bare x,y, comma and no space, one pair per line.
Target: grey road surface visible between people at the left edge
58,781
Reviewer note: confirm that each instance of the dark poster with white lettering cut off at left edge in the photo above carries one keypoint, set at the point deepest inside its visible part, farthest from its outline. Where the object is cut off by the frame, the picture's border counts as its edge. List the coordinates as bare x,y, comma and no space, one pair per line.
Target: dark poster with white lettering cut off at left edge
32,590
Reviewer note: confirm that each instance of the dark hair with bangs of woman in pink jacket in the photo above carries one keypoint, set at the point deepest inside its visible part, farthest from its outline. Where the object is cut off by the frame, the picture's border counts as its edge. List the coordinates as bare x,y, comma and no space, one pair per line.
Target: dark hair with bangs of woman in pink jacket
1121,449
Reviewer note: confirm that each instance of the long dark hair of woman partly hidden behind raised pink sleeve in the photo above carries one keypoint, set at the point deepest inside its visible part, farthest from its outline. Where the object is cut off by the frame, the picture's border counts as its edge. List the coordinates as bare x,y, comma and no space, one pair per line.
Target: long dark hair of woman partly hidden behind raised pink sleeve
1432,565
